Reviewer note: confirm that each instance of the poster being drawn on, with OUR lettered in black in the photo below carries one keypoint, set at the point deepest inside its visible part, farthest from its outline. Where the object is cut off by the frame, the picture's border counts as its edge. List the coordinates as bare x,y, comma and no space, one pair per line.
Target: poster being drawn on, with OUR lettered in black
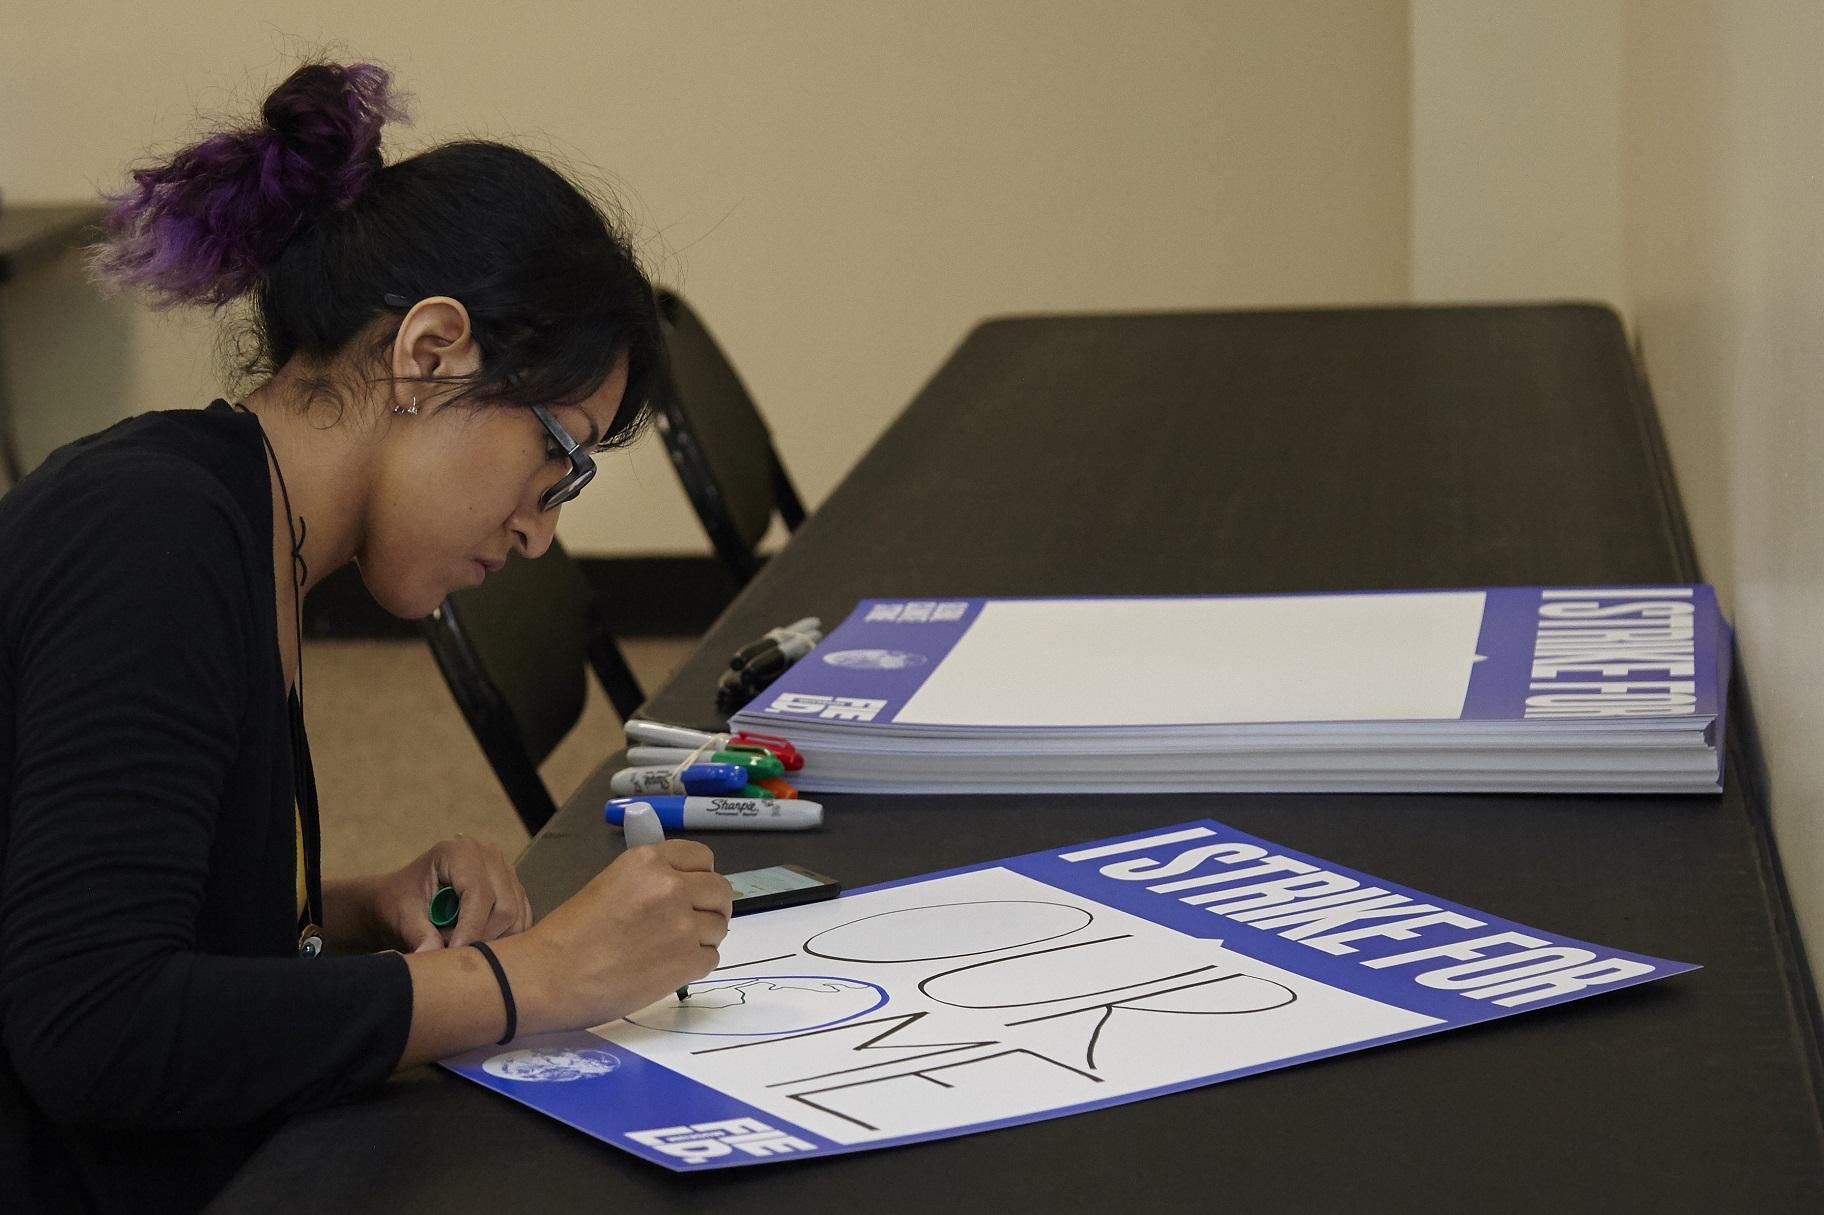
1042,986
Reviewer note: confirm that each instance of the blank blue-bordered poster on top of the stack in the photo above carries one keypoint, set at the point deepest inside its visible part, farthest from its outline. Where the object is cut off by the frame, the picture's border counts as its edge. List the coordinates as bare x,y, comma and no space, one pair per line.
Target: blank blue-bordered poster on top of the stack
1540,656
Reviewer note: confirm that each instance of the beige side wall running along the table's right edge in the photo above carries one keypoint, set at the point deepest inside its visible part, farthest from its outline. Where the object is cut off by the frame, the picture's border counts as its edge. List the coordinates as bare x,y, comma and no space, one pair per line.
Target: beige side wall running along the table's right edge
1725,260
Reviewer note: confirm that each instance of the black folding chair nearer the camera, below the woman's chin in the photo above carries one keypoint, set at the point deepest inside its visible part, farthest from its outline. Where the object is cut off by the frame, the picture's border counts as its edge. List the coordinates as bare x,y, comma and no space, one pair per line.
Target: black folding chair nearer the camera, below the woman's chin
513,652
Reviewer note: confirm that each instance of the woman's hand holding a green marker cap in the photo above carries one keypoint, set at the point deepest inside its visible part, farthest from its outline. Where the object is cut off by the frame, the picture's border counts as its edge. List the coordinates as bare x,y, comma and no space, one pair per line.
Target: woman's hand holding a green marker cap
493,902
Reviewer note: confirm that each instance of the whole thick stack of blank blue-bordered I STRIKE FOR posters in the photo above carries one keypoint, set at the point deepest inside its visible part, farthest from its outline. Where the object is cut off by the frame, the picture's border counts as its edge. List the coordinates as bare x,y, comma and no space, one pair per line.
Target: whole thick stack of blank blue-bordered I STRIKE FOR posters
1580,691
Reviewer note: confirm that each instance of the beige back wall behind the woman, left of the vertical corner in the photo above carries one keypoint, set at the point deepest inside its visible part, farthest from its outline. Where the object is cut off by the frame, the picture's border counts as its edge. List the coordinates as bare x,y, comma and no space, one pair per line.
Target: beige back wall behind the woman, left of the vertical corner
844,189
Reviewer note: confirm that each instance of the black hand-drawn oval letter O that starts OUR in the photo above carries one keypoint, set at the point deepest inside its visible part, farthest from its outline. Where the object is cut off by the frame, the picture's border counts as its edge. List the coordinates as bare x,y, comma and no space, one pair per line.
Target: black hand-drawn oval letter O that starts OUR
948,931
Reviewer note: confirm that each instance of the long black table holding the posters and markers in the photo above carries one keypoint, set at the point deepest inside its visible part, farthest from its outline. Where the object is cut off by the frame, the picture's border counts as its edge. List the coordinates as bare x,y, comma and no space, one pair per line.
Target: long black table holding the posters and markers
1247,453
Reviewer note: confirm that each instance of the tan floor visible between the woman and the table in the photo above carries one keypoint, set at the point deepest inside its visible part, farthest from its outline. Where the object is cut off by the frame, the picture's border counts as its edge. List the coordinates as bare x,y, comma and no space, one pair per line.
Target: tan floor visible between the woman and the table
399,769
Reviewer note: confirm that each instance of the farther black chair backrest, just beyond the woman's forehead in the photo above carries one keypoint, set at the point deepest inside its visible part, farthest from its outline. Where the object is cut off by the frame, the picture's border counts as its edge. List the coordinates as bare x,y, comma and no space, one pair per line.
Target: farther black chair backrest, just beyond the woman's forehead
720,442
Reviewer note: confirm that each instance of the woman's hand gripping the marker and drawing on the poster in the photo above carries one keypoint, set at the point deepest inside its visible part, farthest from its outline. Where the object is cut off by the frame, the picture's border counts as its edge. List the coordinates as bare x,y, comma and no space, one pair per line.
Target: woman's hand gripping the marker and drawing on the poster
641,929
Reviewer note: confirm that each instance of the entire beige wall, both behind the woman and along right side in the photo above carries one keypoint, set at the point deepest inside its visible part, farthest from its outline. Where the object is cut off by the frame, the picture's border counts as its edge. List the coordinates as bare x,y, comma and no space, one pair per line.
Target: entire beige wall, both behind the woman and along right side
845,189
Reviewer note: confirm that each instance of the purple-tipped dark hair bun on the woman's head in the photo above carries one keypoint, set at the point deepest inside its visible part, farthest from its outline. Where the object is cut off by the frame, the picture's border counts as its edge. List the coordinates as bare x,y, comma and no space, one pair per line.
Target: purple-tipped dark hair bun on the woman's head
211,222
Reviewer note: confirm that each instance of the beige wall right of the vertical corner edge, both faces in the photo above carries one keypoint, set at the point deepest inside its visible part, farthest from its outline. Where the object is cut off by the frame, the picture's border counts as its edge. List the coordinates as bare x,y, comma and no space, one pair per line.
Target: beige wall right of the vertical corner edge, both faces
1666,156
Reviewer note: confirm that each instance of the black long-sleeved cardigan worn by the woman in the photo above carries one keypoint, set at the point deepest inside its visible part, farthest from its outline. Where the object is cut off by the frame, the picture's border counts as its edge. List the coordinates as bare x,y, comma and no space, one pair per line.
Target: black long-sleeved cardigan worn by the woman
154,1012
